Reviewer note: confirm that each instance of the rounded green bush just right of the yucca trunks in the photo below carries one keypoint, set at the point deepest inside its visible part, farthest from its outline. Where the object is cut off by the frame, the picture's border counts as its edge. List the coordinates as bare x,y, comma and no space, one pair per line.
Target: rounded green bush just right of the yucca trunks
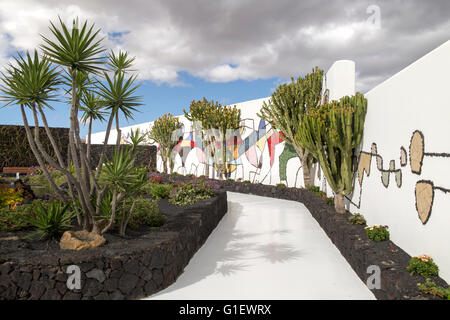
146,212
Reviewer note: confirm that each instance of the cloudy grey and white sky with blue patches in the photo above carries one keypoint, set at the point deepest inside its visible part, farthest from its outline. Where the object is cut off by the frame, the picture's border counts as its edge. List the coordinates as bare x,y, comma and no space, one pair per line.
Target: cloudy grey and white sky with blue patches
236,50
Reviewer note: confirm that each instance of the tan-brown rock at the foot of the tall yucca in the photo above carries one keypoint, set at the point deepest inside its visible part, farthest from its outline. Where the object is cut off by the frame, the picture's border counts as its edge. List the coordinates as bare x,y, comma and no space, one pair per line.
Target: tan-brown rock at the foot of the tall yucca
79,240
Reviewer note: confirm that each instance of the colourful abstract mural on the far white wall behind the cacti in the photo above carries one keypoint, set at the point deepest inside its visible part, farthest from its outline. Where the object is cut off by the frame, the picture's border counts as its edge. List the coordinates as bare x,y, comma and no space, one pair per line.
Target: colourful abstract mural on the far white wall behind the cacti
252,149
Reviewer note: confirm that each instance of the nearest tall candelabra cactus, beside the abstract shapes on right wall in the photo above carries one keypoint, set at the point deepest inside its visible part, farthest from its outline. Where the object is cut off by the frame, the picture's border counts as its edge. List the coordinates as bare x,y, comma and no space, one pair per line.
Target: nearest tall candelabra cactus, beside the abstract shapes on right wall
332,133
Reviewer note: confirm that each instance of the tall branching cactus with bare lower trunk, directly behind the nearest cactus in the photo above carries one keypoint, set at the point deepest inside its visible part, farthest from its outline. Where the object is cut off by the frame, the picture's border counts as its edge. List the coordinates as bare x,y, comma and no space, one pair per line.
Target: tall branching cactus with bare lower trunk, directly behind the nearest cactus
285,109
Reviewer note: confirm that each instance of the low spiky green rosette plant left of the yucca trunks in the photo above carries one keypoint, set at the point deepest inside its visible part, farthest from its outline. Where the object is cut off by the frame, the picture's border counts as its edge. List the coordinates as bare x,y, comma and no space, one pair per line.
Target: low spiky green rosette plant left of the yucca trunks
51,219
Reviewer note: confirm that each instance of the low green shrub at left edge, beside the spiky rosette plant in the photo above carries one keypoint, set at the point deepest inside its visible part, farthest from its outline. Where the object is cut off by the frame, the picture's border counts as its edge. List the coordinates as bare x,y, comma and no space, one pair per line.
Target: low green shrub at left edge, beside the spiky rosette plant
13,220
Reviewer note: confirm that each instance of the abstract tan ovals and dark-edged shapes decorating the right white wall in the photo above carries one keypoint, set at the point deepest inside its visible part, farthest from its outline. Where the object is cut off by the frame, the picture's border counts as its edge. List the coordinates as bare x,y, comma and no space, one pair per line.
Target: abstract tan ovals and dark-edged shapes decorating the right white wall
424,190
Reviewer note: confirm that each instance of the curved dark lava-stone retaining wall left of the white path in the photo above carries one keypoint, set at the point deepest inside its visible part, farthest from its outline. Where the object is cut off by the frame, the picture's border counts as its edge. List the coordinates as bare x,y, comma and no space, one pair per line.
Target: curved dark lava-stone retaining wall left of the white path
131,269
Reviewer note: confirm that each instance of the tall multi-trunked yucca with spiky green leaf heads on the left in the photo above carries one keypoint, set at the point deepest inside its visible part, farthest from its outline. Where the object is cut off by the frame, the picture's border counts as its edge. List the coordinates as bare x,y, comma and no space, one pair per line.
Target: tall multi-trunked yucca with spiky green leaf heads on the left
33,83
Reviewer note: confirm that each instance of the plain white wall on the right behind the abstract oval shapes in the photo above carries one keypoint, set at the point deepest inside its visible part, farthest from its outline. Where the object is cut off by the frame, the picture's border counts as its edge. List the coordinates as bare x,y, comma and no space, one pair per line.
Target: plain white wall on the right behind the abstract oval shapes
413,99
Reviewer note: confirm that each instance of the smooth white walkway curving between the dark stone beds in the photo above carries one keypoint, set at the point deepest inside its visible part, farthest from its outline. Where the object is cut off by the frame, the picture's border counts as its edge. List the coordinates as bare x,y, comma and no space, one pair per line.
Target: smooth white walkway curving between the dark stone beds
267,248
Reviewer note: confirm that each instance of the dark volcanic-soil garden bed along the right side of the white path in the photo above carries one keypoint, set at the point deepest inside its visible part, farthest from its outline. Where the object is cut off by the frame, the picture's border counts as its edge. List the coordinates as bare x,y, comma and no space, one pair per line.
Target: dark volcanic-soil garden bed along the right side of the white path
351,240
